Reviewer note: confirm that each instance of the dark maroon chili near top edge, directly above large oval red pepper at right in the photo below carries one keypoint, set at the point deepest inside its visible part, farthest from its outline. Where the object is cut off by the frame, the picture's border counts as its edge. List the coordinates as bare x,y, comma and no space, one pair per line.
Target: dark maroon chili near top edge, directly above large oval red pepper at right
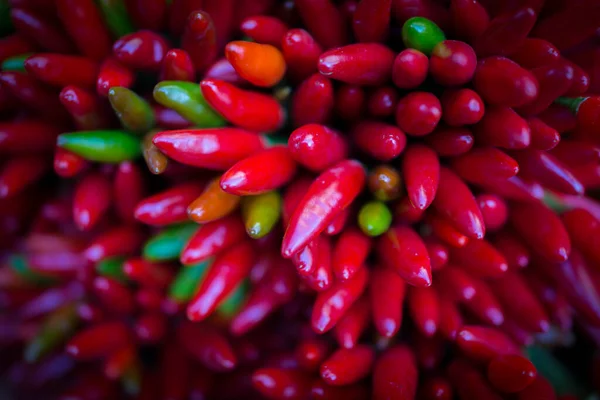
505,33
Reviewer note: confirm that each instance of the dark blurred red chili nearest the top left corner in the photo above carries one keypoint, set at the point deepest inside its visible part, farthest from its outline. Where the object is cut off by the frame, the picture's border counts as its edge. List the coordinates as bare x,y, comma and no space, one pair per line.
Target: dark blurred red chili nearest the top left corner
42,30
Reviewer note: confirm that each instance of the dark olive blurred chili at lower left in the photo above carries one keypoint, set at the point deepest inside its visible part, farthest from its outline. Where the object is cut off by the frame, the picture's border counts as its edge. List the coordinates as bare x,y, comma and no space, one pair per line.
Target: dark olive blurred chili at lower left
56,329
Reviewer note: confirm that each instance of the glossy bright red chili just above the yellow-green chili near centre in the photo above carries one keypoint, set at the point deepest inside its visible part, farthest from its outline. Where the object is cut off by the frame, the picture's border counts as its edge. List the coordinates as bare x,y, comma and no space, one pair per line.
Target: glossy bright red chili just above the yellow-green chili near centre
260,173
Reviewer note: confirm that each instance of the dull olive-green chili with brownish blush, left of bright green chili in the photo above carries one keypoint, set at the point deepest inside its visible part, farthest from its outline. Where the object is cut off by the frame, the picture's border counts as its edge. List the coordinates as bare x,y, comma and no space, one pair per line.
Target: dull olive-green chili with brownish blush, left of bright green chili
134,112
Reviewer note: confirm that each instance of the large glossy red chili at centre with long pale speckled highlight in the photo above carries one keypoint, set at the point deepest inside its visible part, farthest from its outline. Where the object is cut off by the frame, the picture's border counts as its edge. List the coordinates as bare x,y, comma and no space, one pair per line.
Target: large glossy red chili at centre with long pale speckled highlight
331,192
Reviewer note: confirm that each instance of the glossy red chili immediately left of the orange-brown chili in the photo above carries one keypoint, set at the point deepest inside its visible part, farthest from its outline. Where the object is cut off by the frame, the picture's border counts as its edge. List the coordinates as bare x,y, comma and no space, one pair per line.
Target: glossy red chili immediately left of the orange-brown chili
169,206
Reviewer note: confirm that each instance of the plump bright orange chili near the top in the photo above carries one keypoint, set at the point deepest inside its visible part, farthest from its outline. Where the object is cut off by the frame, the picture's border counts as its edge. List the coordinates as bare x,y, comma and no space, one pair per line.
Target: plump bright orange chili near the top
260,64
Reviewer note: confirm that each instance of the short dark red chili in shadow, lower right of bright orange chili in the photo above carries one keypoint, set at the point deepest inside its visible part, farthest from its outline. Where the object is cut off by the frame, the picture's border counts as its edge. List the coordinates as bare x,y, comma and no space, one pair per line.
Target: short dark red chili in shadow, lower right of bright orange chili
312,102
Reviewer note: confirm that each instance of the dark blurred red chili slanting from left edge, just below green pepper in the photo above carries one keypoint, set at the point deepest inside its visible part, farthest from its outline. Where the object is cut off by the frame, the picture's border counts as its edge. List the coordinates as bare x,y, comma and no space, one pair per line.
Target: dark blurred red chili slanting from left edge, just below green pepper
34,95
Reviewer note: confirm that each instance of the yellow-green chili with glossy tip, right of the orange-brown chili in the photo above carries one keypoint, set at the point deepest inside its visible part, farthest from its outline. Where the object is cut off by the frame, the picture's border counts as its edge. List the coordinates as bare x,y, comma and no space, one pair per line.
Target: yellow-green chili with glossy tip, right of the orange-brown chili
261,213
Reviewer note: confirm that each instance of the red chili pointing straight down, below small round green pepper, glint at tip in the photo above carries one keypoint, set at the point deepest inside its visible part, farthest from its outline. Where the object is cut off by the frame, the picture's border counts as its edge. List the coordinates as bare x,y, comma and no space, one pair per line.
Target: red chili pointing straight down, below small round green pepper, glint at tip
387,299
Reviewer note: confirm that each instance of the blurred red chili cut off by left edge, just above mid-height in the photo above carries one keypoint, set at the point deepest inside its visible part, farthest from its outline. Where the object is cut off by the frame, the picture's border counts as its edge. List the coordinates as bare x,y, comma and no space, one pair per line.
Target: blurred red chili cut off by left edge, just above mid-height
18,173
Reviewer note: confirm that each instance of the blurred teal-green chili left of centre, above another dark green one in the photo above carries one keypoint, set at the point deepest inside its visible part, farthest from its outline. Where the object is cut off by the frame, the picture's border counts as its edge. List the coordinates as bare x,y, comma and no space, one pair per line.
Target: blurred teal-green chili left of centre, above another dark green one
168,244
